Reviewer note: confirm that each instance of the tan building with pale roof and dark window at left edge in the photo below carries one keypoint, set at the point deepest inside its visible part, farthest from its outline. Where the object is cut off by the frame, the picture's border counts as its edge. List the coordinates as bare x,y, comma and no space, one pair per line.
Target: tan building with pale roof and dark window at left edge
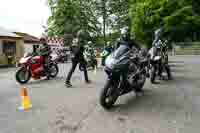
11,47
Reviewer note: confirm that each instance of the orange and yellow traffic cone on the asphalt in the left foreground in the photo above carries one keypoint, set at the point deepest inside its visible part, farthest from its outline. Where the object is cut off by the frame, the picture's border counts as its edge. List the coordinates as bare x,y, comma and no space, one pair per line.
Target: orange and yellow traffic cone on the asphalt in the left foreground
25,100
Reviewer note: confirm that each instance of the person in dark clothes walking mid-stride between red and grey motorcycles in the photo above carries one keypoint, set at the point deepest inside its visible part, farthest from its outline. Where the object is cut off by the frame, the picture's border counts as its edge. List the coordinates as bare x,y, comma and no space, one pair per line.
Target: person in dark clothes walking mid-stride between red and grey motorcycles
77,50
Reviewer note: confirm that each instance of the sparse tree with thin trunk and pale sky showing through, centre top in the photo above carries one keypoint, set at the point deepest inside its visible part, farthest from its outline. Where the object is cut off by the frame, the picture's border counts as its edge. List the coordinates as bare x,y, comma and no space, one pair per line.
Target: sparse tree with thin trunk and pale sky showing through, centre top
114,14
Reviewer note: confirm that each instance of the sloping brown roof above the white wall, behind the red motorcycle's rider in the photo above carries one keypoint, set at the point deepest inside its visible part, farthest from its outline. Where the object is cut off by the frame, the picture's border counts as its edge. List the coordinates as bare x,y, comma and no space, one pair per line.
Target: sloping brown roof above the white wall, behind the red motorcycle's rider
28,38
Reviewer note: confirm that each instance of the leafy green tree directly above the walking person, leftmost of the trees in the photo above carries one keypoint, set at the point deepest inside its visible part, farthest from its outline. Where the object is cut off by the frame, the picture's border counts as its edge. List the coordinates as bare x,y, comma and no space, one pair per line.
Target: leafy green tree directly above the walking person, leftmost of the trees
70,16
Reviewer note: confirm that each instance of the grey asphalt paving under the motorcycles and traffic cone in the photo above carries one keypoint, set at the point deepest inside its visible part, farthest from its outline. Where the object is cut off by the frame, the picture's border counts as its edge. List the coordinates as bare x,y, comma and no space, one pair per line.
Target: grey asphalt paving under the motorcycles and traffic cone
168,107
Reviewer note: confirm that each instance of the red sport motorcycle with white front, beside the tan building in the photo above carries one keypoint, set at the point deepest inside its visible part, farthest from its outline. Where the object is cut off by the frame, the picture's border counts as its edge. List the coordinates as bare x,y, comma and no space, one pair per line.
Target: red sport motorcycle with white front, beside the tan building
32,67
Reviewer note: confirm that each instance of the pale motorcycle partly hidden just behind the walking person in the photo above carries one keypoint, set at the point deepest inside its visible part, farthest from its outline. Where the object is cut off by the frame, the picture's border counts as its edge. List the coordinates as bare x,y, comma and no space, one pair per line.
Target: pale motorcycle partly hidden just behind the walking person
91,61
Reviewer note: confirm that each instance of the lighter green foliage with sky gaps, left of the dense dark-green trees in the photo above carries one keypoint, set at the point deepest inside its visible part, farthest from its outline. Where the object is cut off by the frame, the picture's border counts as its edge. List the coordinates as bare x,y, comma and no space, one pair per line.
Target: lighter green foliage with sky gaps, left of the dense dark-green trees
69,16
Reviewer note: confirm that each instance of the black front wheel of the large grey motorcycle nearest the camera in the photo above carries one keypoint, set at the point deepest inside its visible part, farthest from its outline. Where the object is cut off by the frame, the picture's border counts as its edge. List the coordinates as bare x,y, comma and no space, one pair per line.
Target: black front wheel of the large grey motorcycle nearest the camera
108,95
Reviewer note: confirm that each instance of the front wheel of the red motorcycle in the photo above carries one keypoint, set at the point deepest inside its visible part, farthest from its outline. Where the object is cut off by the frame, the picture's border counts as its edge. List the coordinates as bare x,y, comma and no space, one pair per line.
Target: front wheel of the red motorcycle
23,75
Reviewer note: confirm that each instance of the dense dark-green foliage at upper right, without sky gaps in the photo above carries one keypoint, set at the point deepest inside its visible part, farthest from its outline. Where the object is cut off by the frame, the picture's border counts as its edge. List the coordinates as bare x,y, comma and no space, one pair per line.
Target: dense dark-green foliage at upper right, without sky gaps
176,16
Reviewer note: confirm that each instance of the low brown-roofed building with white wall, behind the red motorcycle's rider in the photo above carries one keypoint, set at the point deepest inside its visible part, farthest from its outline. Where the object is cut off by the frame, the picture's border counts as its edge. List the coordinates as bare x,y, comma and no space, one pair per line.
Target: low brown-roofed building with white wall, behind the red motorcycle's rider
31,43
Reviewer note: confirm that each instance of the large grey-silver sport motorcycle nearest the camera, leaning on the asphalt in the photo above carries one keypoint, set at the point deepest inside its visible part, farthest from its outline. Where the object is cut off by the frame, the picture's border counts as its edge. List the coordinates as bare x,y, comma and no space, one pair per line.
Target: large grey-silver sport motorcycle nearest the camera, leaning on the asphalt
126,73
